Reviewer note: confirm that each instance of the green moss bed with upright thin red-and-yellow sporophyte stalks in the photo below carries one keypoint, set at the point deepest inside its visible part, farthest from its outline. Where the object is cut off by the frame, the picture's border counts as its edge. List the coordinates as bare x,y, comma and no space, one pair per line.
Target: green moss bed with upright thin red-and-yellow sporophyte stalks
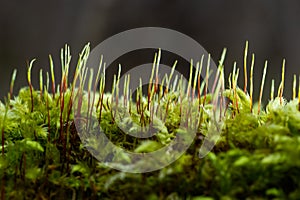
43,157
